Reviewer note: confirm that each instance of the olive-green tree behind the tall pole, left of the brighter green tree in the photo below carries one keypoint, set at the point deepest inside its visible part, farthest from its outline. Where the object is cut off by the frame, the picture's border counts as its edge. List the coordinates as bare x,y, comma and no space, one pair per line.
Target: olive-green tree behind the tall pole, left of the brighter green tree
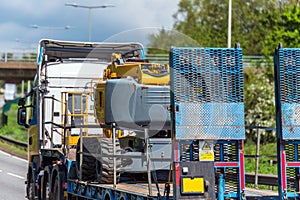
206,21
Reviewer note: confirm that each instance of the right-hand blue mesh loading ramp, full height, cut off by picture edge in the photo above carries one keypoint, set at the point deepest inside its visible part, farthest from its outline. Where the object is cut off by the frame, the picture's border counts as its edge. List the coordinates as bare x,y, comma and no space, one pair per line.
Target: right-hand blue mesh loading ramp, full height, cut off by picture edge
287,76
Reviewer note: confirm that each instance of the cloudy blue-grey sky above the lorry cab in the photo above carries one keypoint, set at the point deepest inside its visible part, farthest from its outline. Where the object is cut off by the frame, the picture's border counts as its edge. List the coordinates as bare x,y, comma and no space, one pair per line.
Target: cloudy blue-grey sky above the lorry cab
127,21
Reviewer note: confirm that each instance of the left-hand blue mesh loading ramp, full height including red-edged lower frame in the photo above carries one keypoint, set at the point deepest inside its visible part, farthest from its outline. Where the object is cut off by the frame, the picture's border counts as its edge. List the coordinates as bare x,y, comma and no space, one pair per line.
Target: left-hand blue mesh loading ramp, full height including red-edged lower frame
207,98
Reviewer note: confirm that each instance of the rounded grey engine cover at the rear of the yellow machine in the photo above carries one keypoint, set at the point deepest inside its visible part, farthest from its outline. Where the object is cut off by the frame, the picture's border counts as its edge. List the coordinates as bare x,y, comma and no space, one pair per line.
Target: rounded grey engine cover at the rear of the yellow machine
136,106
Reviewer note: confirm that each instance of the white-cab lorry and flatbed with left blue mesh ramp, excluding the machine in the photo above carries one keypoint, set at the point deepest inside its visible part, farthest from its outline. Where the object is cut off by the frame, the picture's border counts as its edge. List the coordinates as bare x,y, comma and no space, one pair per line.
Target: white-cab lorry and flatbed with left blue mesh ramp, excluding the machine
207,134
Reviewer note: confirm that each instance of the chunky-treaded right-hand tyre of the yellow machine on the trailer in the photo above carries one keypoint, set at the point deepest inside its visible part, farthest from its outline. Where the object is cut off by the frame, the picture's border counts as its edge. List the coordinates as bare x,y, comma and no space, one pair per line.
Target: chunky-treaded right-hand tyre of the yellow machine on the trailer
104,164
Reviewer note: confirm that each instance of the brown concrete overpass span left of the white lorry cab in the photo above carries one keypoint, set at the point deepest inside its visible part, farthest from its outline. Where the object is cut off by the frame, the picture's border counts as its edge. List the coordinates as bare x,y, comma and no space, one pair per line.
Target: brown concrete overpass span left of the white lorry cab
17,71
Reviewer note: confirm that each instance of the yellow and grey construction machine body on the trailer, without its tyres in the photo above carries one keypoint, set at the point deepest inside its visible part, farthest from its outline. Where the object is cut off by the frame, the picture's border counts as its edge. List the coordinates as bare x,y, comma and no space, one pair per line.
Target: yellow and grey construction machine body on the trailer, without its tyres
133,97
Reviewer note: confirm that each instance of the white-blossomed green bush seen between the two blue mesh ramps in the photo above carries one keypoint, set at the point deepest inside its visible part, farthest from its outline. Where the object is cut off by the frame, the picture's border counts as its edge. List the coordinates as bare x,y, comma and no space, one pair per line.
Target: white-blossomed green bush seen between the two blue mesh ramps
259,100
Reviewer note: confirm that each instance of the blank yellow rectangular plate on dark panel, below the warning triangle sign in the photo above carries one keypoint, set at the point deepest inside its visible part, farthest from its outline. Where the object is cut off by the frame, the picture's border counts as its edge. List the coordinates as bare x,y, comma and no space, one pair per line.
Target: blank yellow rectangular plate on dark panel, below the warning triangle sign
192,185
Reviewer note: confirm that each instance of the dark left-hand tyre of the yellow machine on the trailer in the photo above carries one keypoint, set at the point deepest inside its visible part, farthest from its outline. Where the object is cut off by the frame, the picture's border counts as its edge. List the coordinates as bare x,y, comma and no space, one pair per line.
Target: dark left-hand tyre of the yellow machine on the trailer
90,145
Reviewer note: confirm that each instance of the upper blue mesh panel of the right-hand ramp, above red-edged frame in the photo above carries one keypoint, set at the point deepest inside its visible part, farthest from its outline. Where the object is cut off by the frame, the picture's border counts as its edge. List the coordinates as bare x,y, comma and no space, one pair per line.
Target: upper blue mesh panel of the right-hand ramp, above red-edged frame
287,84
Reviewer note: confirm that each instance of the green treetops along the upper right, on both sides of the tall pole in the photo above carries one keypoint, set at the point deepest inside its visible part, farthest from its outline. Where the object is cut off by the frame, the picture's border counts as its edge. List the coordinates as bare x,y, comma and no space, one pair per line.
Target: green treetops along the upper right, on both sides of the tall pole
257,25
